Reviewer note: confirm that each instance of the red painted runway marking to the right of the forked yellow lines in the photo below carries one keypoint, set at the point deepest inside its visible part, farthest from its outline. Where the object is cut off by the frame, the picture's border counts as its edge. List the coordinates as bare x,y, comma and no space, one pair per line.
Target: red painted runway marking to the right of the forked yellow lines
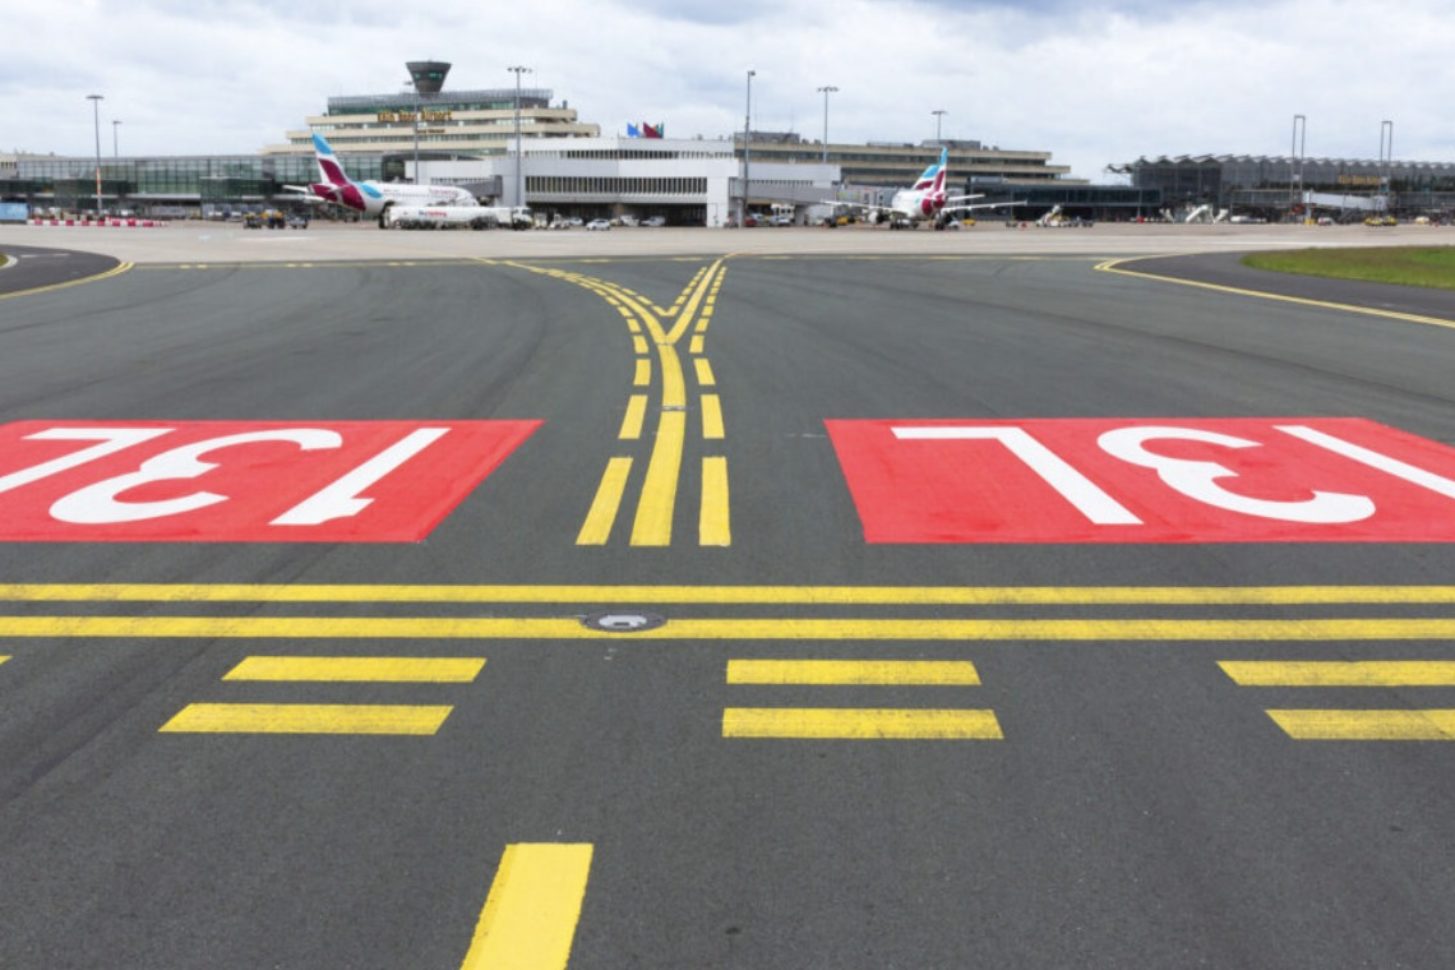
1147,481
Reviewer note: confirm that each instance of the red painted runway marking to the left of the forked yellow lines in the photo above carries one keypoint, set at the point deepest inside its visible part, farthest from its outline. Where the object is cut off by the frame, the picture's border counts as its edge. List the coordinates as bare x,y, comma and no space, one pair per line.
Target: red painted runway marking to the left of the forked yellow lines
242,482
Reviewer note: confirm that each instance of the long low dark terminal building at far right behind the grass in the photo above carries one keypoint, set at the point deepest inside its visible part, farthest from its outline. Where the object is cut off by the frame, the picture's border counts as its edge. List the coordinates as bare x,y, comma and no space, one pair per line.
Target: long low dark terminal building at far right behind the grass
1274,187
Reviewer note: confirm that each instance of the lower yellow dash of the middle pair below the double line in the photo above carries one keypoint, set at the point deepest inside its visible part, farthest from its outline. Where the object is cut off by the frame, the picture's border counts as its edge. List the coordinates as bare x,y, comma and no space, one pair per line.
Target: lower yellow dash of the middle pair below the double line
826,724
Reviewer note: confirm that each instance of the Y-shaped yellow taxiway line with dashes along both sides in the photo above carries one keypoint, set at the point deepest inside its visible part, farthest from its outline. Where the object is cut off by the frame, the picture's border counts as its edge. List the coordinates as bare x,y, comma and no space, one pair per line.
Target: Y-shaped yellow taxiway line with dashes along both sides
663,328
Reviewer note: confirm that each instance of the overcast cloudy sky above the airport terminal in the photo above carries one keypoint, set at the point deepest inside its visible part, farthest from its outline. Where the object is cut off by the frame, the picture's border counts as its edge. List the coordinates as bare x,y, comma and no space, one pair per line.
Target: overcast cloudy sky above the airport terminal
1093,84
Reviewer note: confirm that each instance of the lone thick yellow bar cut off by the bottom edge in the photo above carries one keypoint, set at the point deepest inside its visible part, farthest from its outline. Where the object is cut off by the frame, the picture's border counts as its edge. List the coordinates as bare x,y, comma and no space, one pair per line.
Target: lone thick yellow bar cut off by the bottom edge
530,915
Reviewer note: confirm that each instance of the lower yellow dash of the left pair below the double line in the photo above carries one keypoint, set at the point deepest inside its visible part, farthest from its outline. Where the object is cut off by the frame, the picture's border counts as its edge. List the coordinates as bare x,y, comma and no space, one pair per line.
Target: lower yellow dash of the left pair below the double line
308,719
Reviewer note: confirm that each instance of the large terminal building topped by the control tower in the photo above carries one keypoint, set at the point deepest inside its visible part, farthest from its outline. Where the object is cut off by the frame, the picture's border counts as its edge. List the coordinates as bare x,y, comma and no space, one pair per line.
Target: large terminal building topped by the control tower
567,167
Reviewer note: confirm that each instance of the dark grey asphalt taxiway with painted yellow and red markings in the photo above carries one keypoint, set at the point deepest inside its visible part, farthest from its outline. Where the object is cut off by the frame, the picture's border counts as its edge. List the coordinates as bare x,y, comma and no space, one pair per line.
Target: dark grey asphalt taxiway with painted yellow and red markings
1070,763
